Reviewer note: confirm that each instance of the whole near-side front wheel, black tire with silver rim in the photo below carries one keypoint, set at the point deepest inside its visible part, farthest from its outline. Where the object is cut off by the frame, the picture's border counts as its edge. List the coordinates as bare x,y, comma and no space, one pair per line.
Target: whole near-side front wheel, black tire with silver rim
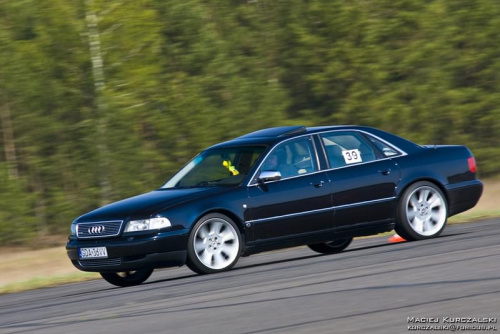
214,244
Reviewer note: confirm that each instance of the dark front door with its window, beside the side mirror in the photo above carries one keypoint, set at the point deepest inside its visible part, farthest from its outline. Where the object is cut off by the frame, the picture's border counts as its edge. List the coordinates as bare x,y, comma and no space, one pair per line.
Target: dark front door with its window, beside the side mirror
297,205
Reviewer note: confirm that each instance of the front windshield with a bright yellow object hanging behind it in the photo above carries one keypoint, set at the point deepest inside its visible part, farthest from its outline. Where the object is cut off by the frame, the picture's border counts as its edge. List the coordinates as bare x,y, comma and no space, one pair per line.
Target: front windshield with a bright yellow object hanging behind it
217,166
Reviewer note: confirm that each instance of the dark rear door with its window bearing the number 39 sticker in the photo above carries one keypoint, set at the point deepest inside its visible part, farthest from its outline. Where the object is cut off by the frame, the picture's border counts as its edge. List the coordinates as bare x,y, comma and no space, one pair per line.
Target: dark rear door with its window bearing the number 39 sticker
363,177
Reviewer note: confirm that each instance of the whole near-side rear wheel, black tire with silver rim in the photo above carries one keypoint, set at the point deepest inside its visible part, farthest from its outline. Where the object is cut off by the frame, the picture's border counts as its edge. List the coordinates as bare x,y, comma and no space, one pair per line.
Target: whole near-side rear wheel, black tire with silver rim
422,212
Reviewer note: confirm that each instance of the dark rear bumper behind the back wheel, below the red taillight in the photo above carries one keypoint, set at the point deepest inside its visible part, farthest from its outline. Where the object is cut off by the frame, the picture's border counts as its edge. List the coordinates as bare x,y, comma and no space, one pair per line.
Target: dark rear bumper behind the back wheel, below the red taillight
463,196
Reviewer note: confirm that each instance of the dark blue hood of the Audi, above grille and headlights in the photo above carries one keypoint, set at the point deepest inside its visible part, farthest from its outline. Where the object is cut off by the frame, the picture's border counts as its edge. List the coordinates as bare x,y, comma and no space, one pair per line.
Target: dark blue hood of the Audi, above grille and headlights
145,205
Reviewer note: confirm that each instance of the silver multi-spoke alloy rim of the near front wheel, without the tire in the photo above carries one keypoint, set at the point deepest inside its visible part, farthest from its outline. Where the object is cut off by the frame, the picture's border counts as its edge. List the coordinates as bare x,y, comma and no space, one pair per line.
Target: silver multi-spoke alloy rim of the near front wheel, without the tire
216,243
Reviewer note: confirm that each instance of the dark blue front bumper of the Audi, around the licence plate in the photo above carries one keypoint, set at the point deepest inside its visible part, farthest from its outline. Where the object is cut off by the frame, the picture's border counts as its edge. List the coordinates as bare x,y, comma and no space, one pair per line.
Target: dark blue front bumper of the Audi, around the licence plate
127,253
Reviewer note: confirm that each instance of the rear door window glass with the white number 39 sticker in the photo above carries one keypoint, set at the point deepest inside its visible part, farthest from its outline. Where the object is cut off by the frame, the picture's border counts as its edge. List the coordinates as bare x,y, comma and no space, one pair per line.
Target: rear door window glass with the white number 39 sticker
345,148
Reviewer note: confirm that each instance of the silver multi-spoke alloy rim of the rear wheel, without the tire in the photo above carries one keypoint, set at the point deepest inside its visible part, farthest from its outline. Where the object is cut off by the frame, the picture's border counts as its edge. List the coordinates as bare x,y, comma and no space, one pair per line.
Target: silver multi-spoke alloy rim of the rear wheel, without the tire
426,211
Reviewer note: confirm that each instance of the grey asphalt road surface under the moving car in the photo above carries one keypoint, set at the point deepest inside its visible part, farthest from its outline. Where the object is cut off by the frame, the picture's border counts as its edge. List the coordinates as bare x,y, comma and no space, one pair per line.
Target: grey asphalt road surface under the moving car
372,287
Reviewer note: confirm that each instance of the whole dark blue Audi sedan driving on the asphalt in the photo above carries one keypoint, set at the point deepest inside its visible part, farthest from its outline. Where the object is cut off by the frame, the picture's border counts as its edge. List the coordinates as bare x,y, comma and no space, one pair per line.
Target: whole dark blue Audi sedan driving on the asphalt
277,188
